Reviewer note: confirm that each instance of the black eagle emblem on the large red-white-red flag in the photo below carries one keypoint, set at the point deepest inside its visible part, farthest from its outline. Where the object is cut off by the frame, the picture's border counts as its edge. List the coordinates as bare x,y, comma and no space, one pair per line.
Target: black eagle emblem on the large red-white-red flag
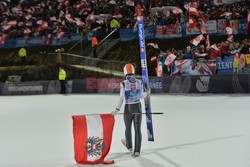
95,146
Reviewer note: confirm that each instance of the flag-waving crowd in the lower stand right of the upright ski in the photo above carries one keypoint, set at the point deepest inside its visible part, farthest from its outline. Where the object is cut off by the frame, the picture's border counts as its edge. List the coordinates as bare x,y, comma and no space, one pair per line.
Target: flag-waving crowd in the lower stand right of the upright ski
199,53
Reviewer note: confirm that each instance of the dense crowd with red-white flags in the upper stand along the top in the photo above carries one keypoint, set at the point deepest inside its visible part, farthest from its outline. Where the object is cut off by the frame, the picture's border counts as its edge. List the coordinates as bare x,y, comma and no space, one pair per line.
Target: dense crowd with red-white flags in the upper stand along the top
48,18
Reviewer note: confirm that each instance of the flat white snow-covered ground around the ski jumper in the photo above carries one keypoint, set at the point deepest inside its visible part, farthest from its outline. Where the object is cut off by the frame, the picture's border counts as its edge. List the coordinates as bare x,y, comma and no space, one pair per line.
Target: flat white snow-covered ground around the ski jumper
195,131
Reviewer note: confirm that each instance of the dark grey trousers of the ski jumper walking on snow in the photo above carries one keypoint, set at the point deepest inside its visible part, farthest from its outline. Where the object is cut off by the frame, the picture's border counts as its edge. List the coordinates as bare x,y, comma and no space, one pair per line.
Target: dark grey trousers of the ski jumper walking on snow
130,118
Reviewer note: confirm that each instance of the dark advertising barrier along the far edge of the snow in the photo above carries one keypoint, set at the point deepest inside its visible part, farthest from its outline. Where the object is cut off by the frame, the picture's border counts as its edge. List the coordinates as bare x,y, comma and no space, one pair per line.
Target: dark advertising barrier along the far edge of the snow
166,85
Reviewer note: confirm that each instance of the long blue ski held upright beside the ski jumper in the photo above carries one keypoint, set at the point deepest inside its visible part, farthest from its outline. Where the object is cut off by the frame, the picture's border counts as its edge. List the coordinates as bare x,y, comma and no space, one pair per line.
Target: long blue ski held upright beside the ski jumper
145,81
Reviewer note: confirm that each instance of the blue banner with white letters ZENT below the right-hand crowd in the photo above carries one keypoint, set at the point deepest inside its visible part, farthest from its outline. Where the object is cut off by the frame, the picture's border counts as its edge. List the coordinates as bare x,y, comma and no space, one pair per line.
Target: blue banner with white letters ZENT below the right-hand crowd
225,66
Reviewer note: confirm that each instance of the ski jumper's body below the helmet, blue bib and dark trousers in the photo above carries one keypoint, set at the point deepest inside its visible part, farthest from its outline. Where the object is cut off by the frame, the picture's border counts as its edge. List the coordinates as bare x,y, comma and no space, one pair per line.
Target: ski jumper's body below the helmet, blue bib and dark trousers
131,90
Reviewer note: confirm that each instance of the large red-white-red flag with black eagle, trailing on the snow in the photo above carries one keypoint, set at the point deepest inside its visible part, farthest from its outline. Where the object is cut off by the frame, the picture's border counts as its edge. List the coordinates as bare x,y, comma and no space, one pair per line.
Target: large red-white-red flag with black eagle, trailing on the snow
92,138
